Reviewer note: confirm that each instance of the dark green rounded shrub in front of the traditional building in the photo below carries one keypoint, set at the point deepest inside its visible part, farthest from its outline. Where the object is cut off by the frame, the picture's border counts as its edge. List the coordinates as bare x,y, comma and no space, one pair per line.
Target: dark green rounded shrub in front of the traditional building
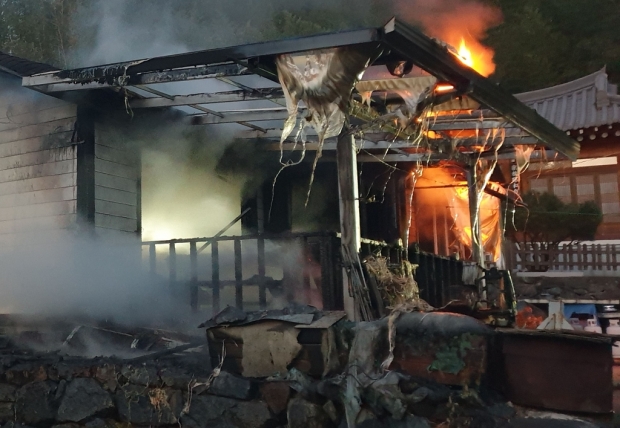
548,220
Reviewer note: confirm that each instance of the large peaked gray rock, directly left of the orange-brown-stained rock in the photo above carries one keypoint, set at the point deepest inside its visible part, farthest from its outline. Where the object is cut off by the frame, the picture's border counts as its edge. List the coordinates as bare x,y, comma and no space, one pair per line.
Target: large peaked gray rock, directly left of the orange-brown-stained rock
83,398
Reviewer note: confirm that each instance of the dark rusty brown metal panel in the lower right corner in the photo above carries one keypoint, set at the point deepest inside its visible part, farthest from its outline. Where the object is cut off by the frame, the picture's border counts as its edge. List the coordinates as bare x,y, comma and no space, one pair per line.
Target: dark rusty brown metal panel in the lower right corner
558,371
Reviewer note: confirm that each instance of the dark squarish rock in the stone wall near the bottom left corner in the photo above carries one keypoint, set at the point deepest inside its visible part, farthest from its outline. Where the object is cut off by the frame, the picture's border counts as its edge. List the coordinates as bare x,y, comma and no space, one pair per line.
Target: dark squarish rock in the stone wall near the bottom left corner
34,404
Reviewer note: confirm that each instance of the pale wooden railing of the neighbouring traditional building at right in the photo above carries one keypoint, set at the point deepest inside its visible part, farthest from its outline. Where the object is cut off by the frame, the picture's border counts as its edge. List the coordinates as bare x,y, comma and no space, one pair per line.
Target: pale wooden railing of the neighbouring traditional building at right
536,257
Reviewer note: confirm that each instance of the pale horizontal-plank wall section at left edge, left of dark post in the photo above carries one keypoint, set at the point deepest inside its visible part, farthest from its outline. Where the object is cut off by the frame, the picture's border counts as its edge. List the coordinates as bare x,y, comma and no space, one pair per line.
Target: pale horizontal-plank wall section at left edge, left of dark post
37,162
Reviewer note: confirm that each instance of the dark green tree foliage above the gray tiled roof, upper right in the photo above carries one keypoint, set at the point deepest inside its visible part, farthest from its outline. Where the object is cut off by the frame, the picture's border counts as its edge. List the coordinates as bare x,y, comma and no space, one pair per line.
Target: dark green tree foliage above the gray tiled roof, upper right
541,44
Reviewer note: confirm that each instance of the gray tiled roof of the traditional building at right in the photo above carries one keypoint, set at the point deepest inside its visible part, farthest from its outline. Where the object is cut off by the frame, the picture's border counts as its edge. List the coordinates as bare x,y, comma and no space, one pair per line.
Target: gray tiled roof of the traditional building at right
583,103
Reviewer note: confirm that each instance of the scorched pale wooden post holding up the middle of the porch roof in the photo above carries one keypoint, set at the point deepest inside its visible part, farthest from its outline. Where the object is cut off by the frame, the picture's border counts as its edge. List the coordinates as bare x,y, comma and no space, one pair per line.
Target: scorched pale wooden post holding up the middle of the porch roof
349,208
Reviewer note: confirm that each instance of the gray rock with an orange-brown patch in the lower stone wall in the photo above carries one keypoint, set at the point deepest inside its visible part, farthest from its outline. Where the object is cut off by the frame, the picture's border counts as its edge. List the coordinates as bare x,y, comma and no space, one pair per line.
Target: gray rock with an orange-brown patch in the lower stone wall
139,405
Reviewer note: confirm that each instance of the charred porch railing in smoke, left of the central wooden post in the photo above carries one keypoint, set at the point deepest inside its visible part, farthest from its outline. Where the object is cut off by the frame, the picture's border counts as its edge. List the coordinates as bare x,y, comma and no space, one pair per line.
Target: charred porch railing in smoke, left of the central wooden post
213,265
